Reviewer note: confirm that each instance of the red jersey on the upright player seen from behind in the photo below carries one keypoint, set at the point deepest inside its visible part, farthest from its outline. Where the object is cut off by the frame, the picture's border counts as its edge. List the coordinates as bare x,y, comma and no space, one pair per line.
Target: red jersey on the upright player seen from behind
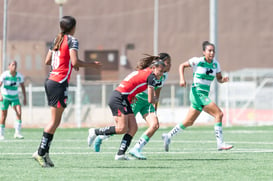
61,66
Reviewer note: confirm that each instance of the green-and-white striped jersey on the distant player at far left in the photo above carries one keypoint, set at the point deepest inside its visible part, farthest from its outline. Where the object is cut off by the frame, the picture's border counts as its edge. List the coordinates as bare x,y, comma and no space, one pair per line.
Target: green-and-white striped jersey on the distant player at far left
10,84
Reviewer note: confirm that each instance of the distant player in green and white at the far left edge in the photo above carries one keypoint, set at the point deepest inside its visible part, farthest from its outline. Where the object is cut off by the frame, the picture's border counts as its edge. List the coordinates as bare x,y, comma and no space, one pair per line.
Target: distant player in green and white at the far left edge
9,82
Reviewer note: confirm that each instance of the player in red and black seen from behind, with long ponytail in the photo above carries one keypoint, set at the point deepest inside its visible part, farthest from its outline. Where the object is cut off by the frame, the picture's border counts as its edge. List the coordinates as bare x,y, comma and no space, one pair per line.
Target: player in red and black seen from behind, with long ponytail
62,56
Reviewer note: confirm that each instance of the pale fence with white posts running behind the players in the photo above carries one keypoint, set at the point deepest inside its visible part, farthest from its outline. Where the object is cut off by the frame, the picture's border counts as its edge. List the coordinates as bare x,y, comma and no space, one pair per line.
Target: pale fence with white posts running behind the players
243,103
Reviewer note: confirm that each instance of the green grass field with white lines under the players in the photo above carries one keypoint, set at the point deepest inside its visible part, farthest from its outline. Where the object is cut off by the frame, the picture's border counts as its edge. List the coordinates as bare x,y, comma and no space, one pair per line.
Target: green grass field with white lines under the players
192,156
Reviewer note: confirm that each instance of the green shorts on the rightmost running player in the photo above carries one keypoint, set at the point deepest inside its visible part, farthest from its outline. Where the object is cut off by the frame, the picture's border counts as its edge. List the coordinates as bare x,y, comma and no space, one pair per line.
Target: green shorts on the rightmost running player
199,99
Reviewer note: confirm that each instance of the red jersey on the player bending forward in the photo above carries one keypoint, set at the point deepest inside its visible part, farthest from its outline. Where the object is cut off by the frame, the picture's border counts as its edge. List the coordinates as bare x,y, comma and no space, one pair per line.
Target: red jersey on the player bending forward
136,82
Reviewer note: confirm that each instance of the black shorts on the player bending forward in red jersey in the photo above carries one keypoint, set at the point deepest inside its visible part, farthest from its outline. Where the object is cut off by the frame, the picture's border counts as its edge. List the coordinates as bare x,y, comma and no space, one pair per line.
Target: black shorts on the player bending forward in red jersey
119,104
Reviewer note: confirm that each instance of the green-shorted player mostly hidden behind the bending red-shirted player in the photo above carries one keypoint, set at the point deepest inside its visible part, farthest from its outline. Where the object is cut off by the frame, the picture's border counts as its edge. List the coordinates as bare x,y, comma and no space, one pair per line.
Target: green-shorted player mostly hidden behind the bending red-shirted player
147,111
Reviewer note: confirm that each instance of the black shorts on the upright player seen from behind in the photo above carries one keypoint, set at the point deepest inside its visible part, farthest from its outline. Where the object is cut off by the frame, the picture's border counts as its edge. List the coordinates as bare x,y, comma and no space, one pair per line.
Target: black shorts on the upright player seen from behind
56,93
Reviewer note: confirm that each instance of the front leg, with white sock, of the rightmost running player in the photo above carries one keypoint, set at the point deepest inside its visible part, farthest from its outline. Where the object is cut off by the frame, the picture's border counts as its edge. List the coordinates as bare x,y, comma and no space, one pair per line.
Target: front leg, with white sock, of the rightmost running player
216,112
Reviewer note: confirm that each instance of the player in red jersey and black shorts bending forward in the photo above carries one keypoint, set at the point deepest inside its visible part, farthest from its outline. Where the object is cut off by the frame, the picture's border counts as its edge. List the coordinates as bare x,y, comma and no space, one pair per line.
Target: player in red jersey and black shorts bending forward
121,99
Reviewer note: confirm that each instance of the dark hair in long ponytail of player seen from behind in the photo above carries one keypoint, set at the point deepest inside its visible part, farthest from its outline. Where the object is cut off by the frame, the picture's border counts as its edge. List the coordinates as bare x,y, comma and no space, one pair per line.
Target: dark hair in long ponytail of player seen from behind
67,23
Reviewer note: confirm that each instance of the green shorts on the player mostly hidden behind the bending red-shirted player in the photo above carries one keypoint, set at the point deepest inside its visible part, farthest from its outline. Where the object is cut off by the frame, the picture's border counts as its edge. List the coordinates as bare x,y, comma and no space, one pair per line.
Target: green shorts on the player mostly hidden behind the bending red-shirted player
143,107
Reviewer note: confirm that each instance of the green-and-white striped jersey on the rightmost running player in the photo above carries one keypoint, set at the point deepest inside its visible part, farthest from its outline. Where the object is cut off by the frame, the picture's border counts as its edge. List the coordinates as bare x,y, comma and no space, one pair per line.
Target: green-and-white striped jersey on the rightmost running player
203,72
